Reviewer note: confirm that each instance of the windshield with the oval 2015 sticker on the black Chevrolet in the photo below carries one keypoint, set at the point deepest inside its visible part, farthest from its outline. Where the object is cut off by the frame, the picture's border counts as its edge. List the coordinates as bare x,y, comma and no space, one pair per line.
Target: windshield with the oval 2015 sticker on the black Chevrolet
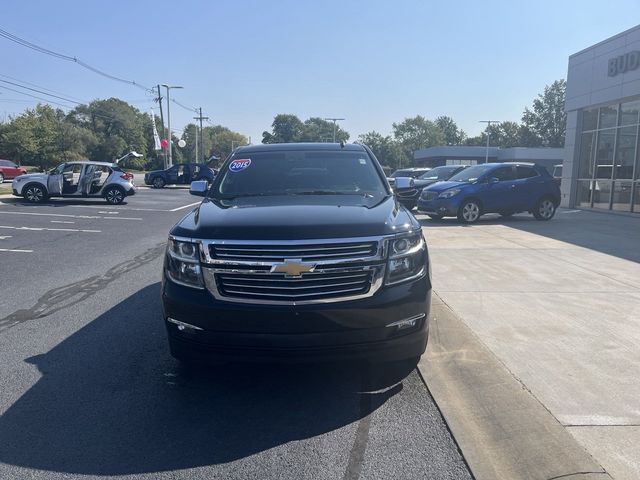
299,173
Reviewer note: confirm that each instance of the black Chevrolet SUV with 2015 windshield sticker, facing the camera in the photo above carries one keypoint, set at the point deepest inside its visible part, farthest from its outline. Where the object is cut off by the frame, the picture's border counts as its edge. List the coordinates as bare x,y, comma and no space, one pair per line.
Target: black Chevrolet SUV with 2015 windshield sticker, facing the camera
298,251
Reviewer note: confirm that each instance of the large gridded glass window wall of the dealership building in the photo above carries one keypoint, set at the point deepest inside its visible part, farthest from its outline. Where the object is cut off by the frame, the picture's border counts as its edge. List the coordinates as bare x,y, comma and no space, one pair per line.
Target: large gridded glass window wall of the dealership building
609,158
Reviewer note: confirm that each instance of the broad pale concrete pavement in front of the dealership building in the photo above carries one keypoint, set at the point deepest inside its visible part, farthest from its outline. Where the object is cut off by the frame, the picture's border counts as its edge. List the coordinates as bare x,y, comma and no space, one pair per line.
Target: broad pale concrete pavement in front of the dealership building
558,303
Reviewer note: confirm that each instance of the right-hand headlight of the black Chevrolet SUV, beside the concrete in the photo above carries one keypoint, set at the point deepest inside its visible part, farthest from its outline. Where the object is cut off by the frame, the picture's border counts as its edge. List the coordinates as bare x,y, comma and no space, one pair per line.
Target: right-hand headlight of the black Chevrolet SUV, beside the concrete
407,258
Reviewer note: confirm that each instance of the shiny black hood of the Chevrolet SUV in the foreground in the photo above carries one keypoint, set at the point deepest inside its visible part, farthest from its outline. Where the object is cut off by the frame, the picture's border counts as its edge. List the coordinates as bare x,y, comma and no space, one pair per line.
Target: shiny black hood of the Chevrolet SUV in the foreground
296,218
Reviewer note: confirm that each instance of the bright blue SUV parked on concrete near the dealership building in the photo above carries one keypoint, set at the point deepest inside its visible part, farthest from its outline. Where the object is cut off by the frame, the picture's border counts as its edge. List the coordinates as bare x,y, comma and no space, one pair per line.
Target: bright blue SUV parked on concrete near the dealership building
504,188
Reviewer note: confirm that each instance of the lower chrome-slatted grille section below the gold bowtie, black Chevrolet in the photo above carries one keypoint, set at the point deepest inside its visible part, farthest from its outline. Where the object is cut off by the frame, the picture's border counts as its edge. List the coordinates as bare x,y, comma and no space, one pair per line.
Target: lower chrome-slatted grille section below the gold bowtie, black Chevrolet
308,287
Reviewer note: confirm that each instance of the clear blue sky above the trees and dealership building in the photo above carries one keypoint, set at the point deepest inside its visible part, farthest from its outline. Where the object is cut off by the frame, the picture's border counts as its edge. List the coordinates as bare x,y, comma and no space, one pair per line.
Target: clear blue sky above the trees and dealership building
372,62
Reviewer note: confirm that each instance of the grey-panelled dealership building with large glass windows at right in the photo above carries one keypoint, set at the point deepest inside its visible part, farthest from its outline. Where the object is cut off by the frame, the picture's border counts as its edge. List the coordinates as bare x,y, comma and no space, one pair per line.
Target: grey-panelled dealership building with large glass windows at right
601,168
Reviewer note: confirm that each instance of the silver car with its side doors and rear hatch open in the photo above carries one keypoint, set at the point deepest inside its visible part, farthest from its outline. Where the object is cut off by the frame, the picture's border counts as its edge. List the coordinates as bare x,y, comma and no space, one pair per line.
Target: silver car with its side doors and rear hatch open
78,180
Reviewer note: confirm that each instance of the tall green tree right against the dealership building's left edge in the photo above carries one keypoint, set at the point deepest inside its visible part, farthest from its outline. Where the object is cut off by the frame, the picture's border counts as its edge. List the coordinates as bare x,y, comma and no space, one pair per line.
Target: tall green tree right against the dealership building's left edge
545,123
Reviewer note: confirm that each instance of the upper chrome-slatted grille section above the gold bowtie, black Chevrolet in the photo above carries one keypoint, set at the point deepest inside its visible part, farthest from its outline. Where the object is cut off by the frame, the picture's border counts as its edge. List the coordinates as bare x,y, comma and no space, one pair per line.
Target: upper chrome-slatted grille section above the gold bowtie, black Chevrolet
278,253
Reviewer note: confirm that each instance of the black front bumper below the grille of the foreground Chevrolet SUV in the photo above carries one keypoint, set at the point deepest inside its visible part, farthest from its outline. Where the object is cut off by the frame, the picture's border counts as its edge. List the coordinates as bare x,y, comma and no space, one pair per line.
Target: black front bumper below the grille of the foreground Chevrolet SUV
354,330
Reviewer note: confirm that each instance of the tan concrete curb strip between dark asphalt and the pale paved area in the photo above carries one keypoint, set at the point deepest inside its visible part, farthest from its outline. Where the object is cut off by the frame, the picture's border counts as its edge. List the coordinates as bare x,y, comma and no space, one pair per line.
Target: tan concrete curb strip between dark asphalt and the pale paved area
504,432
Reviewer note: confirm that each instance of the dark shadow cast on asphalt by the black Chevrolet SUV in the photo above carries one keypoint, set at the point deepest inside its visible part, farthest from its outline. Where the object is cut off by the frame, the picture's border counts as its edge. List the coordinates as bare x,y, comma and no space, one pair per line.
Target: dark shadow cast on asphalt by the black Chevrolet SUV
111,401
